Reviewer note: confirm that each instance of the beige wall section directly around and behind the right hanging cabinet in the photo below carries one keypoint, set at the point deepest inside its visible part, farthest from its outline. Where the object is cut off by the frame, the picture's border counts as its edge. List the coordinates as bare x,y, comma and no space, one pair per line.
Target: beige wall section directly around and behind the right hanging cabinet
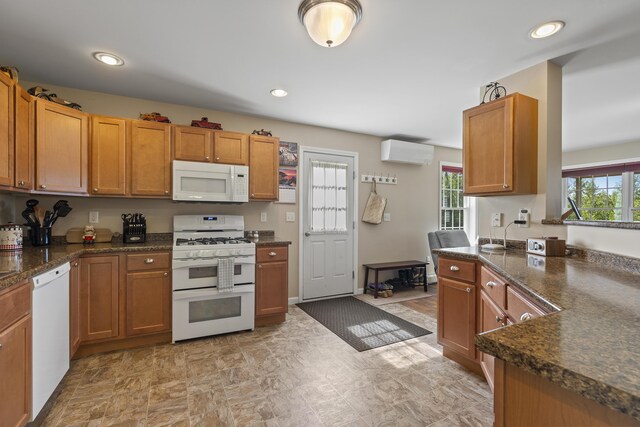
543,82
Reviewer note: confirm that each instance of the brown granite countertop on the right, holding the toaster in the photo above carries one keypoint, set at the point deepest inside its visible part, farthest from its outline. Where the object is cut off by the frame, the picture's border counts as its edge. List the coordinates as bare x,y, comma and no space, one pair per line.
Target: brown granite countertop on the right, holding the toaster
590,343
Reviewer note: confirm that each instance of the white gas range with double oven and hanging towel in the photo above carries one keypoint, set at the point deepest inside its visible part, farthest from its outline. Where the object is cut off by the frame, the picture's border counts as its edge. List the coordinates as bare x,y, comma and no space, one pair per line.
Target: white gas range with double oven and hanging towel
213,276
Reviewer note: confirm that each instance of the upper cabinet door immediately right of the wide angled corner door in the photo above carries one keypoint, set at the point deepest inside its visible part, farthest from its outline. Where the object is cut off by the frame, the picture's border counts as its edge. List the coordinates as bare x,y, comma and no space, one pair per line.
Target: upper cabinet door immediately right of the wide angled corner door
108,137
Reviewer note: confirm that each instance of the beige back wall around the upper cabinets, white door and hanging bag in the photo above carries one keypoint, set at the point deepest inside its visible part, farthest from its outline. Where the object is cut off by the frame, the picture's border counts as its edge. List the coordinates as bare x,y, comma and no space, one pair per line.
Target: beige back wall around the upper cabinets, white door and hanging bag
413,203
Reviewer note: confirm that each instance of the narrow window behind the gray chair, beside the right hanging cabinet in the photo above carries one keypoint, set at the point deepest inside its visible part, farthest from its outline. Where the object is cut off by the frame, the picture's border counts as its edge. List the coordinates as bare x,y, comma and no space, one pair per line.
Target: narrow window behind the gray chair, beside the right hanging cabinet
452,203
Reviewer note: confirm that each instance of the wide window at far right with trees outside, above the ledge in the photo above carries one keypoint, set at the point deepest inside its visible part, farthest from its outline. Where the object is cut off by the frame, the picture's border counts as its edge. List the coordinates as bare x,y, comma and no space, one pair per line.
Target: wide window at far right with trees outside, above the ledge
605,193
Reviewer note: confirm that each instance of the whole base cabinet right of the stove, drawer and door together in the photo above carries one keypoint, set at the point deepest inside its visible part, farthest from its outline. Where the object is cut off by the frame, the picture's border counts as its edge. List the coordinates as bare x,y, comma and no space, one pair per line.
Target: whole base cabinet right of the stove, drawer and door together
272,284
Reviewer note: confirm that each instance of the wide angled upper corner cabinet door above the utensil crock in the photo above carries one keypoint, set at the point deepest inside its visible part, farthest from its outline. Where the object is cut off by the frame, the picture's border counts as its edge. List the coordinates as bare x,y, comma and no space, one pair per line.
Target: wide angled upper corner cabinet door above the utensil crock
62,142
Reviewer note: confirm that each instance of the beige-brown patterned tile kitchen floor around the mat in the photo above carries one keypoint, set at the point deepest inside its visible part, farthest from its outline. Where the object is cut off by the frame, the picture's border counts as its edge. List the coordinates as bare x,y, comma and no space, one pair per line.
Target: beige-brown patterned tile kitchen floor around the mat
294,374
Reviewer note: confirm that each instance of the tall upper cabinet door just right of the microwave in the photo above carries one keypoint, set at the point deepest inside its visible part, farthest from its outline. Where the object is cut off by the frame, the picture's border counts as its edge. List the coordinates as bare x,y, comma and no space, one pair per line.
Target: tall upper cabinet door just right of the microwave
263,167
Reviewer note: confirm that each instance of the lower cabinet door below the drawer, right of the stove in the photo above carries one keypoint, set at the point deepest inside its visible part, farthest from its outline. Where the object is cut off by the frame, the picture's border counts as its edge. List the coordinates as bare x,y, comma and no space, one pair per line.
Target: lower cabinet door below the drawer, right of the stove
271,288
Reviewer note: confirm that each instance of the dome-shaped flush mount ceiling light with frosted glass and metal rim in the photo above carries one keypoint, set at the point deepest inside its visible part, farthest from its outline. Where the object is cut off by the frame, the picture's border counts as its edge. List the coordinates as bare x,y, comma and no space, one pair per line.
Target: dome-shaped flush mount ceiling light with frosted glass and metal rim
329,22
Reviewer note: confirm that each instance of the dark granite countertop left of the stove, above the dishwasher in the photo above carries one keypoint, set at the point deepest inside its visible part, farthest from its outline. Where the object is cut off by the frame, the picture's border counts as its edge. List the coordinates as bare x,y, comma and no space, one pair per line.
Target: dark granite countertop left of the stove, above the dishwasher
18,266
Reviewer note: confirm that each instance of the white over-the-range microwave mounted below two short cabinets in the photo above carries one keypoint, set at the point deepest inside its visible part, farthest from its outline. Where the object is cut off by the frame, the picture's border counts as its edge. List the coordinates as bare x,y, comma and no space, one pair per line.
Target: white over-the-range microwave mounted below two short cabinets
210,182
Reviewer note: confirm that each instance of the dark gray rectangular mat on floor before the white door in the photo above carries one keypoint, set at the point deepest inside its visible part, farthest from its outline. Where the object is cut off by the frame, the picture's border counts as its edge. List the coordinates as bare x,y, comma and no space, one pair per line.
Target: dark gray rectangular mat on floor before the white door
361,325
